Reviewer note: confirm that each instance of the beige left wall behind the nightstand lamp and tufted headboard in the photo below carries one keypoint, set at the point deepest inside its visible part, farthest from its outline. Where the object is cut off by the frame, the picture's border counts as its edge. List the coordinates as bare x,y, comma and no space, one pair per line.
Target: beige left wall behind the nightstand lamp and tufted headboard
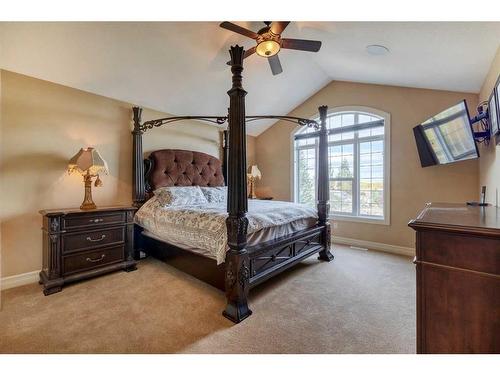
44,124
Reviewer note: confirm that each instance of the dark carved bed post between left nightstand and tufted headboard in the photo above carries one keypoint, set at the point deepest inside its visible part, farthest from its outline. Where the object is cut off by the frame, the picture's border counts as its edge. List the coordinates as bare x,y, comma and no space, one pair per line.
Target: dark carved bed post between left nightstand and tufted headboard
138,188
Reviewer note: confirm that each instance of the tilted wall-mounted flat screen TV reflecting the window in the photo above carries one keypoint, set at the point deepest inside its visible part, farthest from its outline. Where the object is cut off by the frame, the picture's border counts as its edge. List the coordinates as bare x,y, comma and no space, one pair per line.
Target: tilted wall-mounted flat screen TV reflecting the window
447,137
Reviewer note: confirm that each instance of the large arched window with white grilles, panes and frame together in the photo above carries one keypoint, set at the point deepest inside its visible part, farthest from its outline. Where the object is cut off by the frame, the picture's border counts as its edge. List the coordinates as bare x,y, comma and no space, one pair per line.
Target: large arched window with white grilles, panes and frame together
359,163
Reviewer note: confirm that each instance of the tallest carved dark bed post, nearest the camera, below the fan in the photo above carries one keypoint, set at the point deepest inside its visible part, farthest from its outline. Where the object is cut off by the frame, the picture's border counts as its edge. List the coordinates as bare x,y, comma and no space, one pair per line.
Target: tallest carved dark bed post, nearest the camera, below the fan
237,273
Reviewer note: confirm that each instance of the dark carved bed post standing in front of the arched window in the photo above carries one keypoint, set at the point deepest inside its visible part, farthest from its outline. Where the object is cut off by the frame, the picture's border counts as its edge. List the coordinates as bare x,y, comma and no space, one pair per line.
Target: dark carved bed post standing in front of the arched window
323,186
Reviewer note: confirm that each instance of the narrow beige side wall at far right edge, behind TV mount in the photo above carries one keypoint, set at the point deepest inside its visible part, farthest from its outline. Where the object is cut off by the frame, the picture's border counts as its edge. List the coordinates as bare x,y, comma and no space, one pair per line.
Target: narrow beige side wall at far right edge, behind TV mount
489,163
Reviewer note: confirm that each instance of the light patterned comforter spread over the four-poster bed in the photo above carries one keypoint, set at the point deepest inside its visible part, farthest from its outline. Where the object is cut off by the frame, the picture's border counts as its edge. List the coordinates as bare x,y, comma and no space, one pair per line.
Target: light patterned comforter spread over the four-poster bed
202,228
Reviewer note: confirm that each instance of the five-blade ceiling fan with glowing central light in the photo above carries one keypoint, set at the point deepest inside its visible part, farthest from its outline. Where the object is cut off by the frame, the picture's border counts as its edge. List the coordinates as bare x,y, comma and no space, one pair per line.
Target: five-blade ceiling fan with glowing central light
269,42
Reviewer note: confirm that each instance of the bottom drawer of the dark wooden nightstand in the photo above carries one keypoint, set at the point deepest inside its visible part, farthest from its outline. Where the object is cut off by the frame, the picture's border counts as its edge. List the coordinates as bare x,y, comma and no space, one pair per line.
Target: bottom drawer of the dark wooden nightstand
92,259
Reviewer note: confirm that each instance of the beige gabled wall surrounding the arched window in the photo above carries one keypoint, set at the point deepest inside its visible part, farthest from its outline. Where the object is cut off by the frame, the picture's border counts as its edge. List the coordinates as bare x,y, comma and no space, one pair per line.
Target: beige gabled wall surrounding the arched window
411,185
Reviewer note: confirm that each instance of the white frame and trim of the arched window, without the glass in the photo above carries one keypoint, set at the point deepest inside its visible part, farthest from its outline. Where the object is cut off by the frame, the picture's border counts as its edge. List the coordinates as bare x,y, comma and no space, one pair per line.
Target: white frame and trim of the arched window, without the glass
355,141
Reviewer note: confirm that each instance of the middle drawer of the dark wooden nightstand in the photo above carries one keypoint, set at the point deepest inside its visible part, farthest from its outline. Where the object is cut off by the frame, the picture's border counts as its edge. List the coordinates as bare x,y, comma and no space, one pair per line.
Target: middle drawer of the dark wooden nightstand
73,242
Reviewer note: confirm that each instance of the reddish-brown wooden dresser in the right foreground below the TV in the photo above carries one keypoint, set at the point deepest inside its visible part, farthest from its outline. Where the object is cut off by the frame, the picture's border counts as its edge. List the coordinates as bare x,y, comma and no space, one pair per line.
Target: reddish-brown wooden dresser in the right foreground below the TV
458,279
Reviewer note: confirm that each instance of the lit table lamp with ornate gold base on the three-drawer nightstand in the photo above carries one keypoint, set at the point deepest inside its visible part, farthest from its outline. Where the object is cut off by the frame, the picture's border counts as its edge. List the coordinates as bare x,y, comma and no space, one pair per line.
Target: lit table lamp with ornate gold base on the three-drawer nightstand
89,163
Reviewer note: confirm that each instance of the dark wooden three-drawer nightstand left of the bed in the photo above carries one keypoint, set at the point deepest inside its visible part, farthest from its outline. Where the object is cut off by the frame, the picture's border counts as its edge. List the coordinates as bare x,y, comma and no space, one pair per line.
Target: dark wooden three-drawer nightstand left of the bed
78,244
